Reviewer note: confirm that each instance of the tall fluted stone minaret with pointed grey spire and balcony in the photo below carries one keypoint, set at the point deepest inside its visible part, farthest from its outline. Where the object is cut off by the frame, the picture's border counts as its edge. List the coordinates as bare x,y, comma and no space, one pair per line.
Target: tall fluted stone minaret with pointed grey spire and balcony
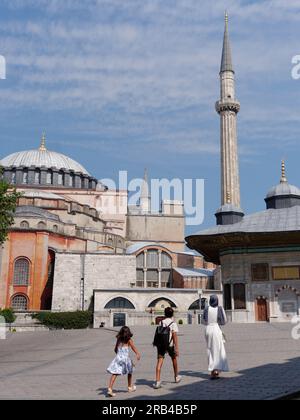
228,107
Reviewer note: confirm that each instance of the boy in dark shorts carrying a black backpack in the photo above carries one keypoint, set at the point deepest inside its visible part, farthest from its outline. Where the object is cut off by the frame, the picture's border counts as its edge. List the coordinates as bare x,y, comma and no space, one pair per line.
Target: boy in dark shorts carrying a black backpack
166,341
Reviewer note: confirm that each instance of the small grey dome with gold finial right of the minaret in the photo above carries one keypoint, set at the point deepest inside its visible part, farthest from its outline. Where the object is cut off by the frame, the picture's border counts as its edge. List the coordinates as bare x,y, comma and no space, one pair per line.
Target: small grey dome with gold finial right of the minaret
283,195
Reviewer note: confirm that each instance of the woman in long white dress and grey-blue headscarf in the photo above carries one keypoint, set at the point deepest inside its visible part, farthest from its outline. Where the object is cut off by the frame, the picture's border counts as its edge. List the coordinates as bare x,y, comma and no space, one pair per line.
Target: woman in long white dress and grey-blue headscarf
214,316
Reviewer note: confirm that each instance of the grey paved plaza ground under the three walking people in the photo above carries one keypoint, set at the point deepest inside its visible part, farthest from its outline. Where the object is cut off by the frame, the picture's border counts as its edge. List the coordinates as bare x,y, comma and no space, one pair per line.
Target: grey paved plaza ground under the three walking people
264,359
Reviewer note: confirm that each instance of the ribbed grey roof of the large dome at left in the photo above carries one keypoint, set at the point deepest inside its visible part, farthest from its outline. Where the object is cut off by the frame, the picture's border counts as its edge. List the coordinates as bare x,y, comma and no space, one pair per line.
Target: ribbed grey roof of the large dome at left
45,158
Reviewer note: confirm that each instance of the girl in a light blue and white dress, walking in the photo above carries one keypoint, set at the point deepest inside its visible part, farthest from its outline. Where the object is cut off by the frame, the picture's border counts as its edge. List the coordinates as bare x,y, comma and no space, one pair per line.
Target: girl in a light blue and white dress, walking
122,363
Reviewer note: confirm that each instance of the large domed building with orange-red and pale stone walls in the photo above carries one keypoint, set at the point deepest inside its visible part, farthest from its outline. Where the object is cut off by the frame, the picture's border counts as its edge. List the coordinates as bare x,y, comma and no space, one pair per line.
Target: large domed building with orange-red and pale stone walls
75,242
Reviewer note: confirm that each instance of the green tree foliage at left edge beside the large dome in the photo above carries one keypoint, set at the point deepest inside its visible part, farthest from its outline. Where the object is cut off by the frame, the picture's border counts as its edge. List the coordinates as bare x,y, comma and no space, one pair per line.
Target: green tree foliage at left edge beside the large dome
8,203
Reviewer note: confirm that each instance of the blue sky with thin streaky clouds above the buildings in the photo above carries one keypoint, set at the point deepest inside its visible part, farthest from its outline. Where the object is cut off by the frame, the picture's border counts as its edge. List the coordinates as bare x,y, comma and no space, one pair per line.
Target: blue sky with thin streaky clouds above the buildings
124,85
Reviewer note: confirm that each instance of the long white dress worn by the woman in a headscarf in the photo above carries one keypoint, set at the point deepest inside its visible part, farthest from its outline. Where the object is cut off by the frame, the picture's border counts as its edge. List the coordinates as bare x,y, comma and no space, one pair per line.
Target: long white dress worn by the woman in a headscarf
217,359
